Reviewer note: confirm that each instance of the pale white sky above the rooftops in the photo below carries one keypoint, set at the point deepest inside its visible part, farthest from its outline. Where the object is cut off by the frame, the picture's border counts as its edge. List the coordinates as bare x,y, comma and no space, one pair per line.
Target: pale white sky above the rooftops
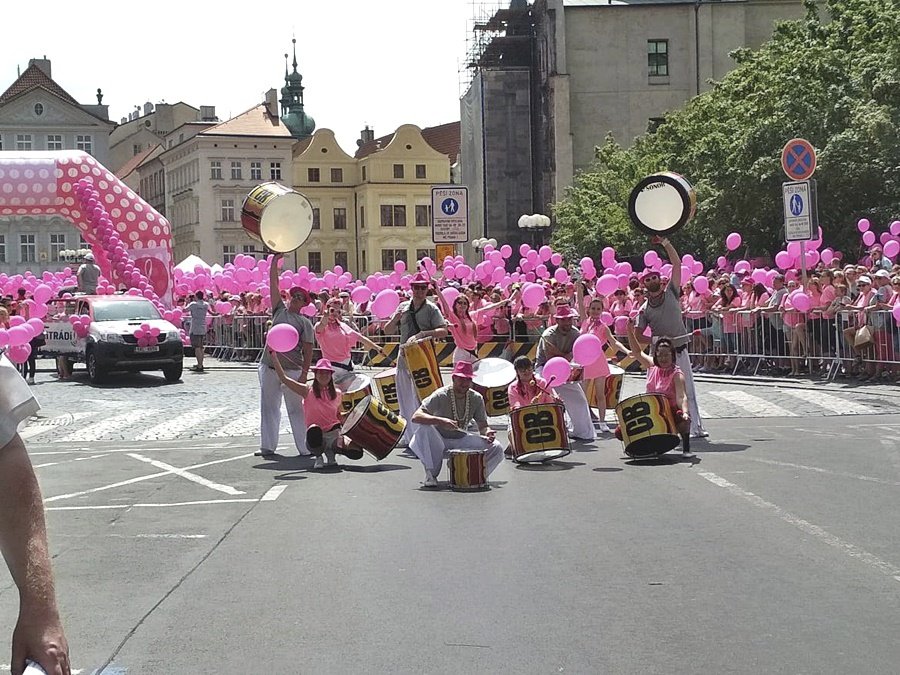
380,64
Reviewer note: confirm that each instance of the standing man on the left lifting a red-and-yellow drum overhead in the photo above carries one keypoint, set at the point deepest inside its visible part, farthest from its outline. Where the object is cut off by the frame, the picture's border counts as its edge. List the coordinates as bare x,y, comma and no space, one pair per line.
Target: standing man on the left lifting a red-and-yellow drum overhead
295,364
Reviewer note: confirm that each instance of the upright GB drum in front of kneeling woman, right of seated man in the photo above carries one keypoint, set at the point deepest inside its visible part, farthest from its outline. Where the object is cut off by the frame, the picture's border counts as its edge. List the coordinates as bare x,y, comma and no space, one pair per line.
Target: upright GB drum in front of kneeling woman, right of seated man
539,433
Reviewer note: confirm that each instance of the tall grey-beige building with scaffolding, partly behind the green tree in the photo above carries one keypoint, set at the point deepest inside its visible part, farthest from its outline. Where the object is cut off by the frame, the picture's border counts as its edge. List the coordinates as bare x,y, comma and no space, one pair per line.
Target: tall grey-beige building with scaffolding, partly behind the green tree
550,80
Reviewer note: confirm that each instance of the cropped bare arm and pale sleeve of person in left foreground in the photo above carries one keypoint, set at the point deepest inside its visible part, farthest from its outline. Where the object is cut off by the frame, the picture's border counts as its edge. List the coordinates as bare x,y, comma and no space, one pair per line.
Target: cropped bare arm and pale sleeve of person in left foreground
38,634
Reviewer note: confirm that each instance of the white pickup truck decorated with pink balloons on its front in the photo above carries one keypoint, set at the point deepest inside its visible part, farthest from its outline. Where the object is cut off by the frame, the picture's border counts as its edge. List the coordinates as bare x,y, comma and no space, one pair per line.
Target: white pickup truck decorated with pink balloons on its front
109,343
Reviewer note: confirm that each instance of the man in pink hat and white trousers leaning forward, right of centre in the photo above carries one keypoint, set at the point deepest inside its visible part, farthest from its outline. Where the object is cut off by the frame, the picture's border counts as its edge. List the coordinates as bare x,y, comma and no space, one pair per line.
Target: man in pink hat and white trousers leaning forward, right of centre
558,340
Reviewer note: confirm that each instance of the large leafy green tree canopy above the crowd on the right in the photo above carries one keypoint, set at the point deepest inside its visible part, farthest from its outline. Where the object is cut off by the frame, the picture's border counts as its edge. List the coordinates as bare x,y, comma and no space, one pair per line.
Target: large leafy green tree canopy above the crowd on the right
843,96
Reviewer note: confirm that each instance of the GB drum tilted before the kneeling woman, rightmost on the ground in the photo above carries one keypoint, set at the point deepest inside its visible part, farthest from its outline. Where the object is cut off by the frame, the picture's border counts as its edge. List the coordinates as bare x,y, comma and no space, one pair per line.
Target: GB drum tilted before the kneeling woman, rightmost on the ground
647,426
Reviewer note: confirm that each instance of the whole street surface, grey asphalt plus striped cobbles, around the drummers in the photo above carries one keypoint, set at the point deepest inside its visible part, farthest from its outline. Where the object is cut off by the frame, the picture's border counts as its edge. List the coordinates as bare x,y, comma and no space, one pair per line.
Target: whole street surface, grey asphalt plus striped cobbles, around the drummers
176,551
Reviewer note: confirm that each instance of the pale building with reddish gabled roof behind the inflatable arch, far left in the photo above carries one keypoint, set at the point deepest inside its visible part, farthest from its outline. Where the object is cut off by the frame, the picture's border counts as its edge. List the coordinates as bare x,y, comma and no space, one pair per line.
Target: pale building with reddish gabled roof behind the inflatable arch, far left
37,114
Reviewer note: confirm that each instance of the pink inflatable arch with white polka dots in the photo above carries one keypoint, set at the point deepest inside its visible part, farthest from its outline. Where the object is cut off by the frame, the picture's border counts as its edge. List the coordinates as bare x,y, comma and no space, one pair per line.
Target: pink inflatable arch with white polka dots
130,240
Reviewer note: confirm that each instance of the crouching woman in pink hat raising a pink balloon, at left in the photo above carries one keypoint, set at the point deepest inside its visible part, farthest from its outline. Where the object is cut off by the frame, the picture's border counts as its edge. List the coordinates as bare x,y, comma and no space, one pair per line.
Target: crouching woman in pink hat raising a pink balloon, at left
322,408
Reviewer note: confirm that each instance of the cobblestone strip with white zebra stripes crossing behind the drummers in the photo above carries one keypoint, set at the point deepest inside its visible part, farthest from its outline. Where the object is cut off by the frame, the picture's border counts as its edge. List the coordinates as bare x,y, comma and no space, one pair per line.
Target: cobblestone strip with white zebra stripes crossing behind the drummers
223,402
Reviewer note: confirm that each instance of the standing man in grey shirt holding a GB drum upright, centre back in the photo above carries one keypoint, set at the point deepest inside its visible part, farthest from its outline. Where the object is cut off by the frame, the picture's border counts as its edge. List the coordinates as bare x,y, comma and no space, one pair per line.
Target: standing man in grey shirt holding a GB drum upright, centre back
418,319
